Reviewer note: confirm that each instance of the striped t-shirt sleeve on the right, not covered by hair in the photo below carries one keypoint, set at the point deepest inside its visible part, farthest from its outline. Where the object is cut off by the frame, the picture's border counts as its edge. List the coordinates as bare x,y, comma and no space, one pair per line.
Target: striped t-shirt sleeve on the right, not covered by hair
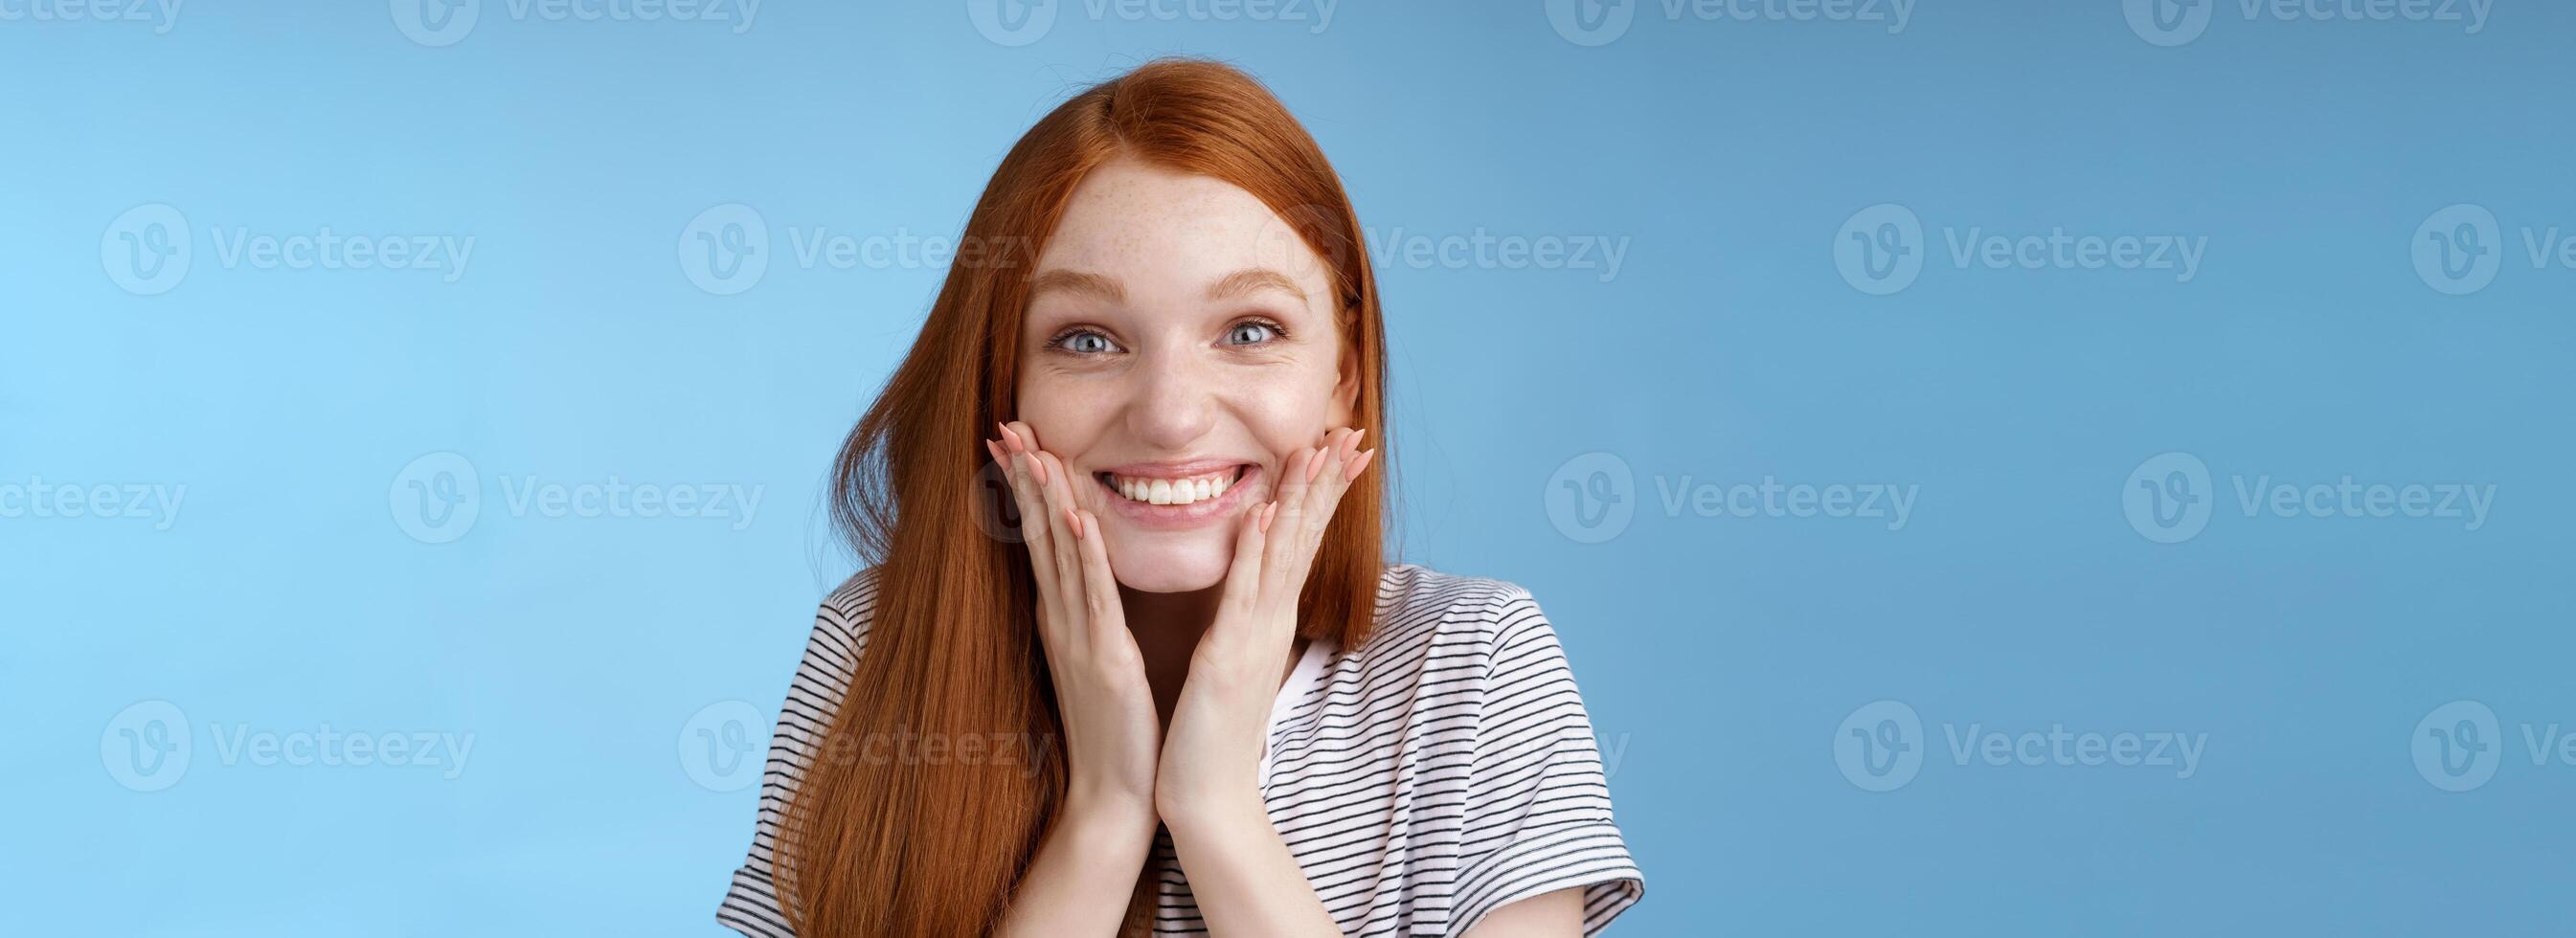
1539,803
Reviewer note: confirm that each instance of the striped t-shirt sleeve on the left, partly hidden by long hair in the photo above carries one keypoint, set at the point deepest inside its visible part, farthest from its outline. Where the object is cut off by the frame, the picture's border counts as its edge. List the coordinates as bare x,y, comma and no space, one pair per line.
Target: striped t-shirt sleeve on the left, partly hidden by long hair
823,679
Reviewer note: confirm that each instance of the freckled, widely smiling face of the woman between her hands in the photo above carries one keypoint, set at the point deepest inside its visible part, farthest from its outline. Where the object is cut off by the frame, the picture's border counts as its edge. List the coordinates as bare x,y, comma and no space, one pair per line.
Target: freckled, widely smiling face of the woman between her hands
1179,344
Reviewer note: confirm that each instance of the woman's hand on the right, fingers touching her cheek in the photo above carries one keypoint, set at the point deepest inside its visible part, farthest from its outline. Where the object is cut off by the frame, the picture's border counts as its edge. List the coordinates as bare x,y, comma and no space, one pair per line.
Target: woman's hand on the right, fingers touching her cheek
1215,746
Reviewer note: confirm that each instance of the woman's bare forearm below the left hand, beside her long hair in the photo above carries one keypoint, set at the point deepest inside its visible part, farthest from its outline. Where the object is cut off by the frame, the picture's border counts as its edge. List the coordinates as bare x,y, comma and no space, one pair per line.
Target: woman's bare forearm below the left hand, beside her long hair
1083,875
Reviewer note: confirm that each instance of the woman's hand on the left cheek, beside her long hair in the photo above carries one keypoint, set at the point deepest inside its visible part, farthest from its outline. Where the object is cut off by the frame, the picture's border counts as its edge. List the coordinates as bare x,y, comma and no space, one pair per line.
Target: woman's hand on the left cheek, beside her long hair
1112,736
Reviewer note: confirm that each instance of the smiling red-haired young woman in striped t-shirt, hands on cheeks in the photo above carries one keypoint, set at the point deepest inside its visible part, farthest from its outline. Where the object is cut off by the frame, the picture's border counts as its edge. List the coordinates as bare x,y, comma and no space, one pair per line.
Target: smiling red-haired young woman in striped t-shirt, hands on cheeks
1184,692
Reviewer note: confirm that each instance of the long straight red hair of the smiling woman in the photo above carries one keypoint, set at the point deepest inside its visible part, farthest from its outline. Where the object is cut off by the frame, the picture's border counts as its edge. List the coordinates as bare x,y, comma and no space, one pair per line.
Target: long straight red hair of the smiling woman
952,646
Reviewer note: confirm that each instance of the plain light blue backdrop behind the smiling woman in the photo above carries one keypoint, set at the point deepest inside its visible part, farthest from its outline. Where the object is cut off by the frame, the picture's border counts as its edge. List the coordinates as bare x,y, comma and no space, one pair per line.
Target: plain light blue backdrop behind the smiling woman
1719,656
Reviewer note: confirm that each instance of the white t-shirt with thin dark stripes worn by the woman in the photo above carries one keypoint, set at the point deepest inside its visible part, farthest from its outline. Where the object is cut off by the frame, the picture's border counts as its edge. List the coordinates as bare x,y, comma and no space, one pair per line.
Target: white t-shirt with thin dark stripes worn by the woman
1428,777
